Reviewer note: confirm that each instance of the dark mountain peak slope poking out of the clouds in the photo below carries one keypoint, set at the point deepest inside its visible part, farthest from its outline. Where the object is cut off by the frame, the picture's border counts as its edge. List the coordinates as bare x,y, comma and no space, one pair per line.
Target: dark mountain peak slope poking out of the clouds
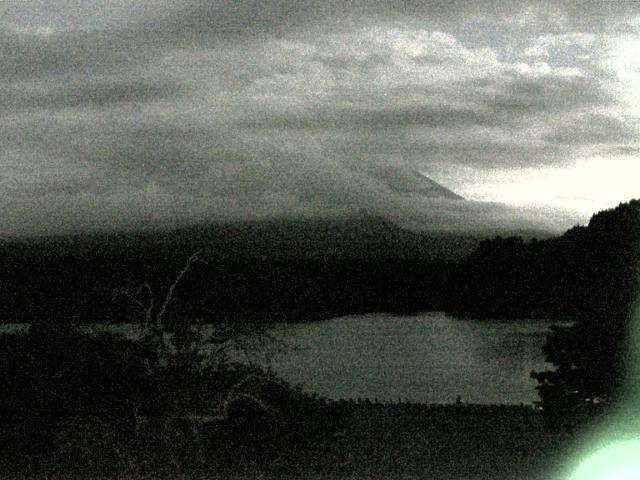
407,181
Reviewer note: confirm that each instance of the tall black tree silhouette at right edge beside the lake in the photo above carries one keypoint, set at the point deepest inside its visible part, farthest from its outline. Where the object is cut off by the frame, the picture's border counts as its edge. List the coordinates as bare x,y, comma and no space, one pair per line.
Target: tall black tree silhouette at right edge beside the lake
591,356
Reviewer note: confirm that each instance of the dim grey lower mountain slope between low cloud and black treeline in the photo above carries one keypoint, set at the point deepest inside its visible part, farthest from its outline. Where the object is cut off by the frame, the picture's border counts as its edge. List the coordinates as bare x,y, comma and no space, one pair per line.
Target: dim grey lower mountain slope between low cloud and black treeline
361,236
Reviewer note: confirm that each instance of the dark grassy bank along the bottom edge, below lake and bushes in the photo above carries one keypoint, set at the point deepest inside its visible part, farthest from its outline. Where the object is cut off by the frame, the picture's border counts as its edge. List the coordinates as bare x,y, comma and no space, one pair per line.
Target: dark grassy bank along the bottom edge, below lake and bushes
361,441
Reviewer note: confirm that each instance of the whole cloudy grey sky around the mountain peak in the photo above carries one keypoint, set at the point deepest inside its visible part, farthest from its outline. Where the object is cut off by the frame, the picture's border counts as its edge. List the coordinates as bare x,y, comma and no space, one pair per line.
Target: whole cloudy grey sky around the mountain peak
119,113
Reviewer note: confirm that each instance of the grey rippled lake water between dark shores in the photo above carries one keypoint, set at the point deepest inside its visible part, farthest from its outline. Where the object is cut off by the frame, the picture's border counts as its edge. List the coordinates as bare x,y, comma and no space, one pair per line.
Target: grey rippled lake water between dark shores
428,357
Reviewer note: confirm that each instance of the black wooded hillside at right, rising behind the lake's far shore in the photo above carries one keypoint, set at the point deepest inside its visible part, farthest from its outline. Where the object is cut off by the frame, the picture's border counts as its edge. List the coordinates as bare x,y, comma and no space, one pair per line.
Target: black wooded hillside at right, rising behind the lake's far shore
590,272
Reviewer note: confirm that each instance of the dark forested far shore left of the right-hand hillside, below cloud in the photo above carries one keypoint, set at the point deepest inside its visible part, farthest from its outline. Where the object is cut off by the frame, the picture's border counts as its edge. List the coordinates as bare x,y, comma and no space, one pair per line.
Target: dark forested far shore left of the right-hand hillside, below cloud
263,271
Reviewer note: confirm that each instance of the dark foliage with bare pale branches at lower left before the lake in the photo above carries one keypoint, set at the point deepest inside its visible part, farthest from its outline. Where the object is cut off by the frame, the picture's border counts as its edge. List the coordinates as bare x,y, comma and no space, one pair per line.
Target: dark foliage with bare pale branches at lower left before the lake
99,402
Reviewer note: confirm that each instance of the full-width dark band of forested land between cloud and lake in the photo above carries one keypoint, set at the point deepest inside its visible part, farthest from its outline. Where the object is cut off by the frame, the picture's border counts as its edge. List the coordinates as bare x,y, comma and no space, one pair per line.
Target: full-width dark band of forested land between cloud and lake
307,270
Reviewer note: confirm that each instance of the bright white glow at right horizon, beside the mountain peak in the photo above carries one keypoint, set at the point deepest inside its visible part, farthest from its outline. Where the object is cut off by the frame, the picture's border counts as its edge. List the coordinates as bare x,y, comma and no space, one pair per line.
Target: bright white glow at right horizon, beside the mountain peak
587,187
